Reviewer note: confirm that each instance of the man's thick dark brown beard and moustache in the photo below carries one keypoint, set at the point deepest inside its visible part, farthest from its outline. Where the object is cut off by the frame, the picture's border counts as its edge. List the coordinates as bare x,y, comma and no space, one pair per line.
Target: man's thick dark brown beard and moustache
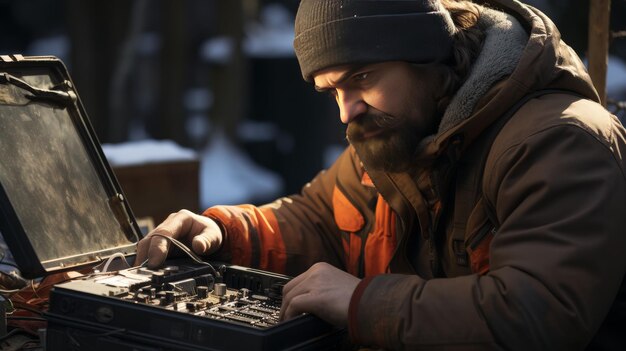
384,142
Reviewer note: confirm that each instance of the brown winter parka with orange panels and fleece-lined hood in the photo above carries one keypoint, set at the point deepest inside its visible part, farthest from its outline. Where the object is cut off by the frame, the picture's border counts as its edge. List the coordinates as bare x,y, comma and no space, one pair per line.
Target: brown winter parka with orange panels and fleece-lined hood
540,261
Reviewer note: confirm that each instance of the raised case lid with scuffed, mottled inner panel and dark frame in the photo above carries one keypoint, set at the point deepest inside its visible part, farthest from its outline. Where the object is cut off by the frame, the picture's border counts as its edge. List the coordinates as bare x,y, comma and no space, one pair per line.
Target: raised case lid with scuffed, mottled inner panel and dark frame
61,207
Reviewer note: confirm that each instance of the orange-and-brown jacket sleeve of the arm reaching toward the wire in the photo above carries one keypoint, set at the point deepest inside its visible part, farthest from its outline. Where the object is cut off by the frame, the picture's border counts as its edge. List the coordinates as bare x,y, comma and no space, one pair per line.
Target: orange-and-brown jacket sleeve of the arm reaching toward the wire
288,235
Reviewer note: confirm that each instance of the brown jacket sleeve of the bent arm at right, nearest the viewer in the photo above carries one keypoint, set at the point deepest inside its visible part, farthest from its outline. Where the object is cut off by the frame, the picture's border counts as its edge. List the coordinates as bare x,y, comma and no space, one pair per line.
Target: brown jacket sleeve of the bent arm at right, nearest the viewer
557,260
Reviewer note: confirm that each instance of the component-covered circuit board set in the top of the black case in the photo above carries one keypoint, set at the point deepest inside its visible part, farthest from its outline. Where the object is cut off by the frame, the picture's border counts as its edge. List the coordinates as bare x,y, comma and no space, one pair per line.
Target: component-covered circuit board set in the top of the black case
186,289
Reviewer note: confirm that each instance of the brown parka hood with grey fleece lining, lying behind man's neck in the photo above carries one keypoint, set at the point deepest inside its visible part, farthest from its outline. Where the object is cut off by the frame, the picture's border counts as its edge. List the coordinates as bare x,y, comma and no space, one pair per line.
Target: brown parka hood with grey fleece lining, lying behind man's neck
522,52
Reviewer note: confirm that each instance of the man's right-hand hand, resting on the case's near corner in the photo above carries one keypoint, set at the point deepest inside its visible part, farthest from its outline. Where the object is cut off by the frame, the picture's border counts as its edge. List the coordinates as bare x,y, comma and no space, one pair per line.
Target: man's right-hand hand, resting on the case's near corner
323,290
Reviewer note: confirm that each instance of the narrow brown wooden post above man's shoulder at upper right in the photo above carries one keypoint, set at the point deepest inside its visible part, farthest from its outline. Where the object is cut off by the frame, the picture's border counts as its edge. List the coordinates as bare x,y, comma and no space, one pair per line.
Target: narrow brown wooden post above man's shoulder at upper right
598,50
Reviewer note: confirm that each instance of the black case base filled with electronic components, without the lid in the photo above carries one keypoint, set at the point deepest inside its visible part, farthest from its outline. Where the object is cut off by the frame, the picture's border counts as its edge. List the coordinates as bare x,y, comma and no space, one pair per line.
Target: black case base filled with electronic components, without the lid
181,307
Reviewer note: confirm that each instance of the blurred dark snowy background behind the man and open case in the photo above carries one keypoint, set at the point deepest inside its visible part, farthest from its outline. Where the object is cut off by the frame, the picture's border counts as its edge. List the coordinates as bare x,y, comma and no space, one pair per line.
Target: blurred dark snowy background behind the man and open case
209,92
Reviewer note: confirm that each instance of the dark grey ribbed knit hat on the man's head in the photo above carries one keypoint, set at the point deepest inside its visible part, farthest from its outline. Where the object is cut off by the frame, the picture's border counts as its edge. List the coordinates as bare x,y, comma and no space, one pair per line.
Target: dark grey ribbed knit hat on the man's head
336,32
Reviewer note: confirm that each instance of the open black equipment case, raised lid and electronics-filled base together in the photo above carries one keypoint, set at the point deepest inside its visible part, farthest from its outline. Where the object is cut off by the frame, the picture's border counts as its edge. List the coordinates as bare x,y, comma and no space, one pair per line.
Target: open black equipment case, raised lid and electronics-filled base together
62,209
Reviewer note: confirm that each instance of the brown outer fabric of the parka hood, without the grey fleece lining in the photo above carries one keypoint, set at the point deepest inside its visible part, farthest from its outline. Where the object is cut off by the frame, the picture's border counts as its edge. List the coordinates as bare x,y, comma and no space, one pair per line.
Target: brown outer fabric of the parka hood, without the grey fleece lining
544,63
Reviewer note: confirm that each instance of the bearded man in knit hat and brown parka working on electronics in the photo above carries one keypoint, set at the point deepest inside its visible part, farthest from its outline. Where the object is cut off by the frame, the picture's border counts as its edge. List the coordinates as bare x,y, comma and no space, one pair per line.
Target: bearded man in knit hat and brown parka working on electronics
480,204
